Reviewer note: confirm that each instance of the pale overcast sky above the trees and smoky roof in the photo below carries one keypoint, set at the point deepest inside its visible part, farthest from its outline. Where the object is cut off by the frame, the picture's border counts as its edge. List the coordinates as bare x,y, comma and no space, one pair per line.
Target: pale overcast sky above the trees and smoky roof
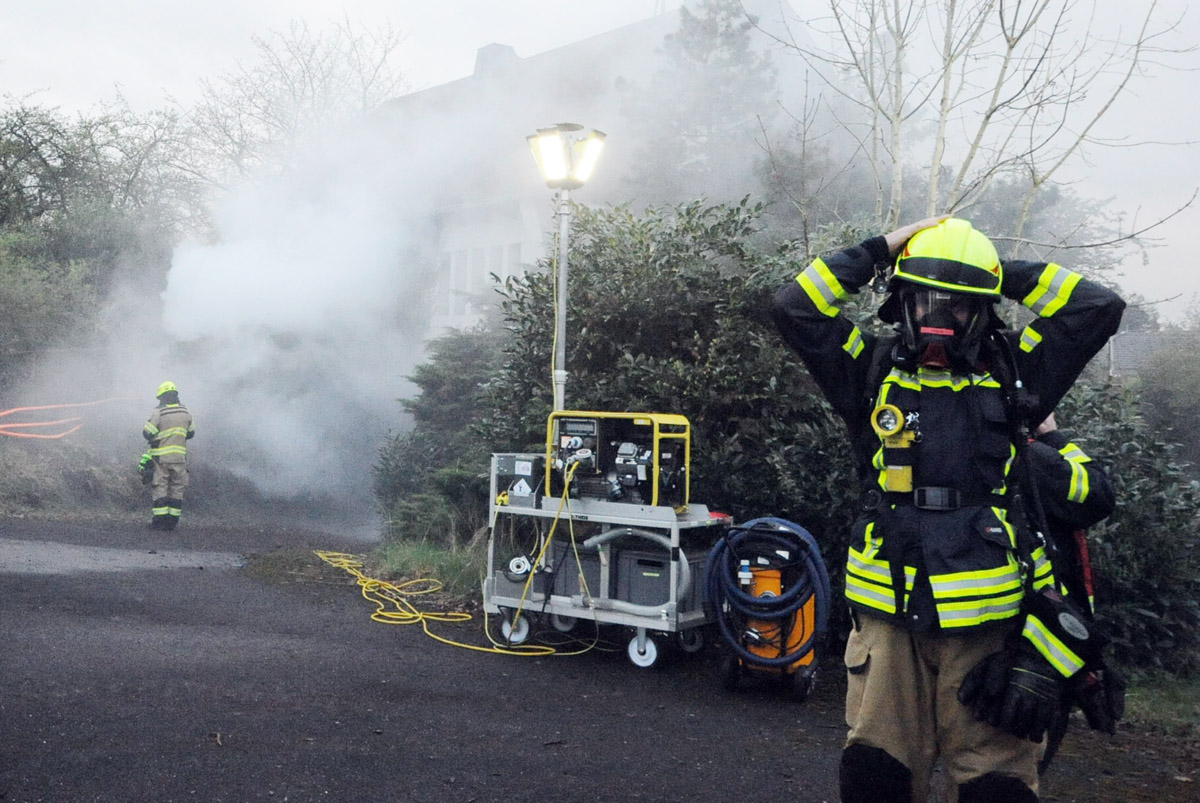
75,53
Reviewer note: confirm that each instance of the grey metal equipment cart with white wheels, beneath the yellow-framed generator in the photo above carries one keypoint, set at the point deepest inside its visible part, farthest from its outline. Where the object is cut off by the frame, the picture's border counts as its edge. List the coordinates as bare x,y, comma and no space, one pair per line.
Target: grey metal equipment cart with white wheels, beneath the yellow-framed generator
643,567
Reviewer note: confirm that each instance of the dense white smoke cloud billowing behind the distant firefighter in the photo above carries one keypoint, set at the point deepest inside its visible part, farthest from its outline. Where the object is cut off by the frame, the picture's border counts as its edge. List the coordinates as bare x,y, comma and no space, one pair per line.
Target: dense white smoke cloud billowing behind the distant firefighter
290,335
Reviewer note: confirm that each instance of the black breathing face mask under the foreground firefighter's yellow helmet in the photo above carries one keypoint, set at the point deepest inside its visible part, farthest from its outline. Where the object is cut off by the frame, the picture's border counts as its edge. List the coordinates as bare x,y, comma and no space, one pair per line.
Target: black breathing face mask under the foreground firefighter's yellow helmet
943,329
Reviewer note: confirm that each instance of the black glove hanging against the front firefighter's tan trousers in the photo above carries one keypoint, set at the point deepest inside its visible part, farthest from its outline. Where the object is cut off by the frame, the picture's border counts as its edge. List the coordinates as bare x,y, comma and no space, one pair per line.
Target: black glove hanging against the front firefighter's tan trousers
1015,691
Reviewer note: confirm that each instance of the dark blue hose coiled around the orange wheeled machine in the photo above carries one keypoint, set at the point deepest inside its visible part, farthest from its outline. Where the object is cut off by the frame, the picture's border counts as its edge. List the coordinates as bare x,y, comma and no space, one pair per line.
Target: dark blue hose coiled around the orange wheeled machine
734,607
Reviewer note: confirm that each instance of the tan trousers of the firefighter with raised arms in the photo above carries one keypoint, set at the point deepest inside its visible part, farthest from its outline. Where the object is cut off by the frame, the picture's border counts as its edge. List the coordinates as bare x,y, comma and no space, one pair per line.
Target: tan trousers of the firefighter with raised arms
902,698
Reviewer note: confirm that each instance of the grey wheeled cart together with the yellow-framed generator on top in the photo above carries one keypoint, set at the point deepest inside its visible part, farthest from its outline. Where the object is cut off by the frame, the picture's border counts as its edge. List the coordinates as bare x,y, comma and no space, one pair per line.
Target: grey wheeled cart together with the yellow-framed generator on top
601,529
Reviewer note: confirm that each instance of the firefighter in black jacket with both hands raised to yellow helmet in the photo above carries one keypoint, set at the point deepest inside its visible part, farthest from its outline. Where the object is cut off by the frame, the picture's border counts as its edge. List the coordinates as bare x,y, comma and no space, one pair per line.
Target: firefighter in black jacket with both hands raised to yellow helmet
944,582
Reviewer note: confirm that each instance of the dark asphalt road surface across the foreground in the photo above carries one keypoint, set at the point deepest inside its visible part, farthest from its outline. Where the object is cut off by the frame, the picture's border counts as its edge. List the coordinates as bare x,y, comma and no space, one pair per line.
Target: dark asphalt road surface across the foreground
148,667
